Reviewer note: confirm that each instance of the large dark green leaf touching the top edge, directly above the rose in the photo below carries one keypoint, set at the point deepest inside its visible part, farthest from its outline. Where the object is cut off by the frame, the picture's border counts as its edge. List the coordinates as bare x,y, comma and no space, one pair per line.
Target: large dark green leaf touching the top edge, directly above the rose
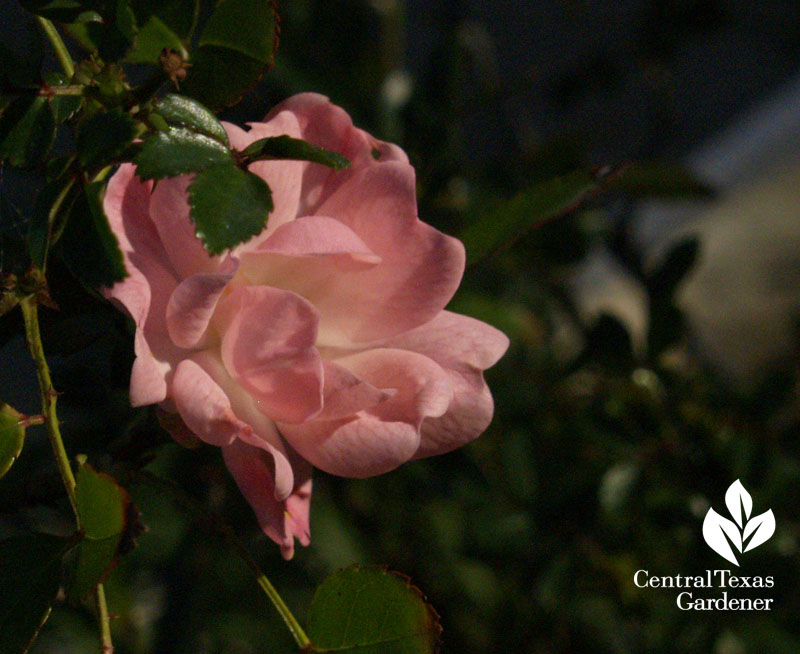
235,48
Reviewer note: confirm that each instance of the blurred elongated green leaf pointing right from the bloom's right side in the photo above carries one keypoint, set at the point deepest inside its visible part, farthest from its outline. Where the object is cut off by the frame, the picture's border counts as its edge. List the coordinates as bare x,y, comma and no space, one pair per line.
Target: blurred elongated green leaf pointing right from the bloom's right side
530,208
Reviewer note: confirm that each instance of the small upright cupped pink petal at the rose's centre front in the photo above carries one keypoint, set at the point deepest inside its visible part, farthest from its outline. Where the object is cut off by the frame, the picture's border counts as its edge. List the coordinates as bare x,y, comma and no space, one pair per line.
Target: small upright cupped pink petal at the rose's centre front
268,346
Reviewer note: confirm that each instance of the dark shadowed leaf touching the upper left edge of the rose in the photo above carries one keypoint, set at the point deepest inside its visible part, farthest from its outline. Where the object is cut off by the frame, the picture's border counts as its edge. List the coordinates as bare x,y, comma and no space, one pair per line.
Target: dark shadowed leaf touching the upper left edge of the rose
89,247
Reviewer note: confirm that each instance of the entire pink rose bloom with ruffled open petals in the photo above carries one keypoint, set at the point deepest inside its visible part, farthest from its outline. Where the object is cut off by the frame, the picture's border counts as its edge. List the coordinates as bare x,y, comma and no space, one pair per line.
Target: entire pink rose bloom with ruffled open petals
323,341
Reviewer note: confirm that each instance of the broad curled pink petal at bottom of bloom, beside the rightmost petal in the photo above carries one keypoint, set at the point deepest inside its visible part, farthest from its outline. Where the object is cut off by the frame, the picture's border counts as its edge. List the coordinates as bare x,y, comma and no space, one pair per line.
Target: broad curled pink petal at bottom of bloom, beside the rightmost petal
380,438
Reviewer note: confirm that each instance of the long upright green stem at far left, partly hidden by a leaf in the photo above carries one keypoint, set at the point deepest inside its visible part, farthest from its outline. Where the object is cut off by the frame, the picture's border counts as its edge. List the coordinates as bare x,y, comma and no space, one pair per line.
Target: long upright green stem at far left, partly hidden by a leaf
30,313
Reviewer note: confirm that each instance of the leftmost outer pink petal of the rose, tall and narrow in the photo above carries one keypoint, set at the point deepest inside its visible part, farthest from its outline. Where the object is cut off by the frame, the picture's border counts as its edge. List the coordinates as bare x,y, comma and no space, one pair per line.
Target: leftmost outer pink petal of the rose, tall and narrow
145,291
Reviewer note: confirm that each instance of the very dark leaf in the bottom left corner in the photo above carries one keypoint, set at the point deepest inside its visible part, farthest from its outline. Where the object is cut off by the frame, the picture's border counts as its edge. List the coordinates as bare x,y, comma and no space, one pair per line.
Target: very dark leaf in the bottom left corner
30,576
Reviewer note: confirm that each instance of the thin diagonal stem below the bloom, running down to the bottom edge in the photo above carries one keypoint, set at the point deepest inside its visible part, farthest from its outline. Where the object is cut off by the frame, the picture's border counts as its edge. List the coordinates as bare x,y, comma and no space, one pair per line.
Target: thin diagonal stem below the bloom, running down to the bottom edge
300,637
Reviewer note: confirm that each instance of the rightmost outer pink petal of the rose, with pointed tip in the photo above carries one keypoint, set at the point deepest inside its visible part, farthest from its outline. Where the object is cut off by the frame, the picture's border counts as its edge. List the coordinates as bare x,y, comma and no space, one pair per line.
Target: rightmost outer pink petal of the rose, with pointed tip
464,347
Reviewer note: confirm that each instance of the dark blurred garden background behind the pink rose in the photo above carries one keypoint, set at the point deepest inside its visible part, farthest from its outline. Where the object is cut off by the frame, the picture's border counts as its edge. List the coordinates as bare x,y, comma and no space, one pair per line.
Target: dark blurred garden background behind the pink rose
655,332
